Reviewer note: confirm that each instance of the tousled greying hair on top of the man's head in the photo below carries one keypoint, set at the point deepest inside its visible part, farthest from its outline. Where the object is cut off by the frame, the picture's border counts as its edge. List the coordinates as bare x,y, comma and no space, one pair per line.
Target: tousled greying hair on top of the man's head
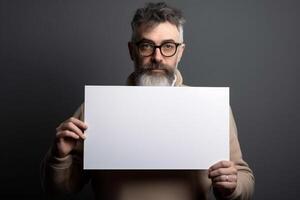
155,13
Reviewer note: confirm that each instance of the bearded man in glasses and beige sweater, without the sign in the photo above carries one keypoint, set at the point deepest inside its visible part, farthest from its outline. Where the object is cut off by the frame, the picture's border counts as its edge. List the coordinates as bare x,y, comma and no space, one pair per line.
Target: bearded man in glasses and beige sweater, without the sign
156,48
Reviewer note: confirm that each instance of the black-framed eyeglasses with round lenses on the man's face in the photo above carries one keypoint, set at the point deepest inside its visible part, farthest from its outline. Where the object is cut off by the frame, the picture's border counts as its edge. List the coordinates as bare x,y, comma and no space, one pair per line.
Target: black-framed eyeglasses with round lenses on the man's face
167,49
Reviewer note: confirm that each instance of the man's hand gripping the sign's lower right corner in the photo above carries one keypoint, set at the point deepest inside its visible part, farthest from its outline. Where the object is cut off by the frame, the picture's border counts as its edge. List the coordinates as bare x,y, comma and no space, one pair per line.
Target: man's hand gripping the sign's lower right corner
224,177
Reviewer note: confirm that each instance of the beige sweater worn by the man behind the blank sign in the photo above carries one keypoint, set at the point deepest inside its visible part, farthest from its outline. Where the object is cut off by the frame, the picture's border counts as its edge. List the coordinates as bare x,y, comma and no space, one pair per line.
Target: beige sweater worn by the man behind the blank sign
66,175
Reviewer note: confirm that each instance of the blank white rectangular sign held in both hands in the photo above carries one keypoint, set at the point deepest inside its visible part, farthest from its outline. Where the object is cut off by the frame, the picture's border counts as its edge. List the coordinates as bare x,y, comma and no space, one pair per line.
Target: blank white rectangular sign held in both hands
132,127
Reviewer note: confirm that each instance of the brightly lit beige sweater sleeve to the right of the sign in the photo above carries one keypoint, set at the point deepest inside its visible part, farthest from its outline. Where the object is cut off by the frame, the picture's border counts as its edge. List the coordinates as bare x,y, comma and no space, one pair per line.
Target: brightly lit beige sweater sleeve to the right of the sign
245,178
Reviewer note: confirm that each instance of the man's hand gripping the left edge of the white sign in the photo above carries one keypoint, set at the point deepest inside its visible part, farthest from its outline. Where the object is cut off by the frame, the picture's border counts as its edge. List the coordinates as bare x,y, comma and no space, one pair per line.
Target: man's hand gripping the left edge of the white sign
67,135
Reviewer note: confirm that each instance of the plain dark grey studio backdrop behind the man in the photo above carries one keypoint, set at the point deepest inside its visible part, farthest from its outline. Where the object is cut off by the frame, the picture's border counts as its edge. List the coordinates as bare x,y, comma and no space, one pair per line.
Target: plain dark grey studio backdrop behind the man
50,49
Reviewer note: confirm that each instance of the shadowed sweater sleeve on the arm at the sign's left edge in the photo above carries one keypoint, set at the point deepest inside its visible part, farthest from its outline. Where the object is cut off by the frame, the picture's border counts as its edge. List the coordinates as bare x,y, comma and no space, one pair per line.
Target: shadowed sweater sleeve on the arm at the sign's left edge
64,176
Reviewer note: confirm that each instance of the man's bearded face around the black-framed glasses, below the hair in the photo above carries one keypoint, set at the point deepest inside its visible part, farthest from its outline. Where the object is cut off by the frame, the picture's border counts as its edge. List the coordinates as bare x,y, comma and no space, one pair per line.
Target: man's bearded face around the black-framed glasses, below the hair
156,69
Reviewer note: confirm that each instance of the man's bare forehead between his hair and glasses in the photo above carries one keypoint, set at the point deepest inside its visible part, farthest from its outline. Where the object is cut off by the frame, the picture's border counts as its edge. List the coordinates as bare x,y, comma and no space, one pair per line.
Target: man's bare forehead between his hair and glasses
160,32
